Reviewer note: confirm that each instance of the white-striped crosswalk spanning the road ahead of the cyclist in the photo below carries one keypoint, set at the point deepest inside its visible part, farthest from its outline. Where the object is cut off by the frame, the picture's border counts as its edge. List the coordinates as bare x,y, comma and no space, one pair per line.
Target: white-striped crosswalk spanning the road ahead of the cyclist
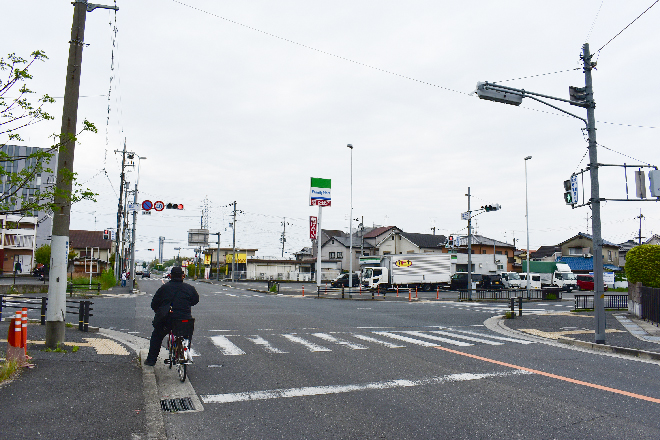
320,342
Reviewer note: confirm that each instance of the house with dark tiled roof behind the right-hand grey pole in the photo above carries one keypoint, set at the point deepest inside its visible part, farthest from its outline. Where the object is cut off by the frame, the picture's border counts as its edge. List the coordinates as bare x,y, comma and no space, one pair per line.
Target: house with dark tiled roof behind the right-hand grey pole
577,252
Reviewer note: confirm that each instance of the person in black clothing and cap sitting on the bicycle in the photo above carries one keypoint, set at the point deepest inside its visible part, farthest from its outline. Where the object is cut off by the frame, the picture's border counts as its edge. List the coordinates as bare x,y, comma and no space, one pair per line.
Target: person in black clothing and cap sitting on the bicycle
180,297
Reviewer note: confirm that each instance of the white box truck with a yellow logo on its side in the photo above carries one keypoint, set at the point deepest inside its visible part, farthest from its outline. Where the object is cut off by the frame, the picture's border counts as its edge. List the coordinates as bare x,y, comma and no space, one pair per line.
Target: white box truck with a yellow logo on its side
423,271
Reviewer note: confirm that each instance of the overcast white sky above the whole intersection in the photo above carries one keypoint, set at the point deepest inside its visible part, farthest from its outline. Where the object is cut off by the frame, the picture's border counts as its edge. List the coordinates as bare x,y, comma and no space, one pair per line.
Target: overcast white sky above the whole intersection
246,101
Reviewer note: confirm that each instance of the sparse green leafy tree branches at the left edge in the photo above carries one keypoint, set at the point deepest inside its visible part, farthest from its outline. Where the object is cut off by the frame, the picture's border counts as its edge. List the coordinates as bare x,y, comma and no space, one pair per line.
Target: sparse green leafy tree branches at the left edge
18,111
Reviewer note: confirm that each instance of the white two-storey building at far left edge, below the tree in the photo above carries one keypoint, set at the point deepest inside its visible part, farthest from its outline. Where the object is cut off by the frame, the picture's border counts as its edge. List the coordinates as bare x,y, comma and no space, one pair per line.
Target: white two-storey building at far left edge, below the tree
17,242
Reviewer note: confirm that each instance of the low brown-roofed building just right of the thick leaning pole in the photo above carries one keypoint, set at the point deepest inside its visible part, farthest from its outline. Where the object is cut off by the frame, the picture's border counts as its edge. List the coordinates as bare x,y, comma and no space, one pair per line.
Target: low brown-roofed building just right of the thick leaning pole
93,252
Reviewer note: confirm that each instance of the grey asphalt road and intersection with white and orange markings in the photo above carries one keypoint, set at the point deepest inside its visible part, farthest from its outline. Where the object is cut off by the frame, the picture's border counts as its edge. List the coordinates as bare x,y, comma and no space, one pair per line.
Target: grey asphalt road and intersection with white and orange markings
279,366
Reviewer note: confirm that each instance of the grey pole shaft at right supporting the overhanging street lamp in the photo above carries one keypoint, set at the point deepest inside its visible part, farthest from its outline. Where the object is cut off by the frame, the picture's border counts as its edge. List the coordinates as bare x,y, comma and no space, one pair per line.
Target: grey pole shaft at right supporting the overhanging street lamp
599,293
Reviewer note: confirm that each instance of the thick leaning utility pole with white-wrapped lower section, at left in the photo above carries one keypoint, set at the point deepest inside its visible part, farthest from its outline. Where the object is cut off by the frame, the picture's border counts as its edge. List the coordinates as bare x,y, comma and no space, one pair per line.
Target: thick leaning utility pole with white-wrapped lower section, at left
63,185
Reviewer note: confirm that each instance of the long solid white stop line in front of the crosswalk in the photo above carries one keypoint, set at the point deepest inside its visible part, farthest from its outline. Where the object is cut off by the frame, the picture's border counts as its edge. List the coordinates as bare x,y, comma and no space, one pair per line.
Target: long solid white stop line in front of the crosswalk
337,389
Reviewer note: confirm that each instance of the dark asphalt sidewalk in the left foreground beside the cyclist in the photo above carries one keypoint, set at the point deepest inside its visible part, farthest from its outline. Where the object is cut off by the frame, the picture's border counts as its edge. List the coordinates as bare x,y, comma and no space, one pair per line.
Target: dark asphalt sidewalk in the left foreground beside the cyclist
94,392
